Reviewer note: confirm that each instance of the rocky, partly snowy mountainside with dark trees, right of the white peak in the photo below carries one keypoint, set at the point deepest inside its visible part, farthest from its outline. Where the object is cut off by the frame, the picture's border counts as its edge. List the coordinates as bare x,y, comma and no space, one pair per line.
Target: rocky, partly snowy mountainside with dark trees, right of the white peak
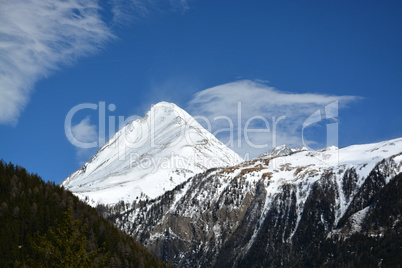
332,207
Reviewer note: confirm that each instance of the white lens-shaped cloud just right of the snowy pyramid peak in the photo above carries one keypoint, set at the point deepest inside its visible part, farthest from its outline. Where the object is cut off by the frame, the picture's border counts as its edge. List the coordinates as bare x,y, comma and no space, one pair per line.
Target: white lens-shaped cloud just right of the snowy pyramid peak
227,109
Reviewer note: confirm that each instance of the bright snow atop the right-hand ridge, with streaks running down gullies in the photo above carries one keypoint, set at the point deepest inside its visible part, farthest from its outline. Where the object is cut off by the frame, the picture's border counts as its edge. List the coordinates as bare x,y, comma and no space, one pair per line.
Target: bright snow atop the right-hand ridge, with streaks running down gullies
305,167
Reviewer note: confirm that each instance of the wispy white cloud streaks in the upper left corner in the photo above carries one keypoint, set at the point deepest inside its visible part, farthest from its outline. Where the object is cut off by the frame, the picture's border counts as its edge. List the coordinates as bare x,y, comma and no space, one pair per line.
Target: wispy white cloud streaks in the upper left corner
38,37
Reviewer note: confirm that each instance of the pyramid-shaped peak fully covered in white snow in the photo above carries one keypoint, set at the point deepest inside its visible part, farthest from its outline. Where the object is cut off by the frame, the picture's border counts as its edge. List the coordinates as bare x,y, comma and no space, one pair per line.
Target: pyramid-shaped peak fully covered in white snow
148,157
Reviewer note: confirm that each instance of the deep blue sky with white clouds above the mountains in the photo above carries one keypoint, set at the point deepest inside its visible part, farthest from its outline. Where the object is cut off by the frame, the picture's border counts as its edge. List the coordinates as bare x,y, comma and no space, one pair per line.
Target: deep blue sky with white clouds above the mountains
55,56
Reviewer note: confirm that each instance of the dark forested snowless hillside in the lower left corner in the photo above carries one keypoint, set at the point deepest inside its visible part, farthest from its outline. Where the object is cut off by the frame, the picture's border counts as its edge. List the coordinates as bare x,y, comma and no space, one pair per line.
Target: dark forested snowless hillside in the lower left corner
38,229
